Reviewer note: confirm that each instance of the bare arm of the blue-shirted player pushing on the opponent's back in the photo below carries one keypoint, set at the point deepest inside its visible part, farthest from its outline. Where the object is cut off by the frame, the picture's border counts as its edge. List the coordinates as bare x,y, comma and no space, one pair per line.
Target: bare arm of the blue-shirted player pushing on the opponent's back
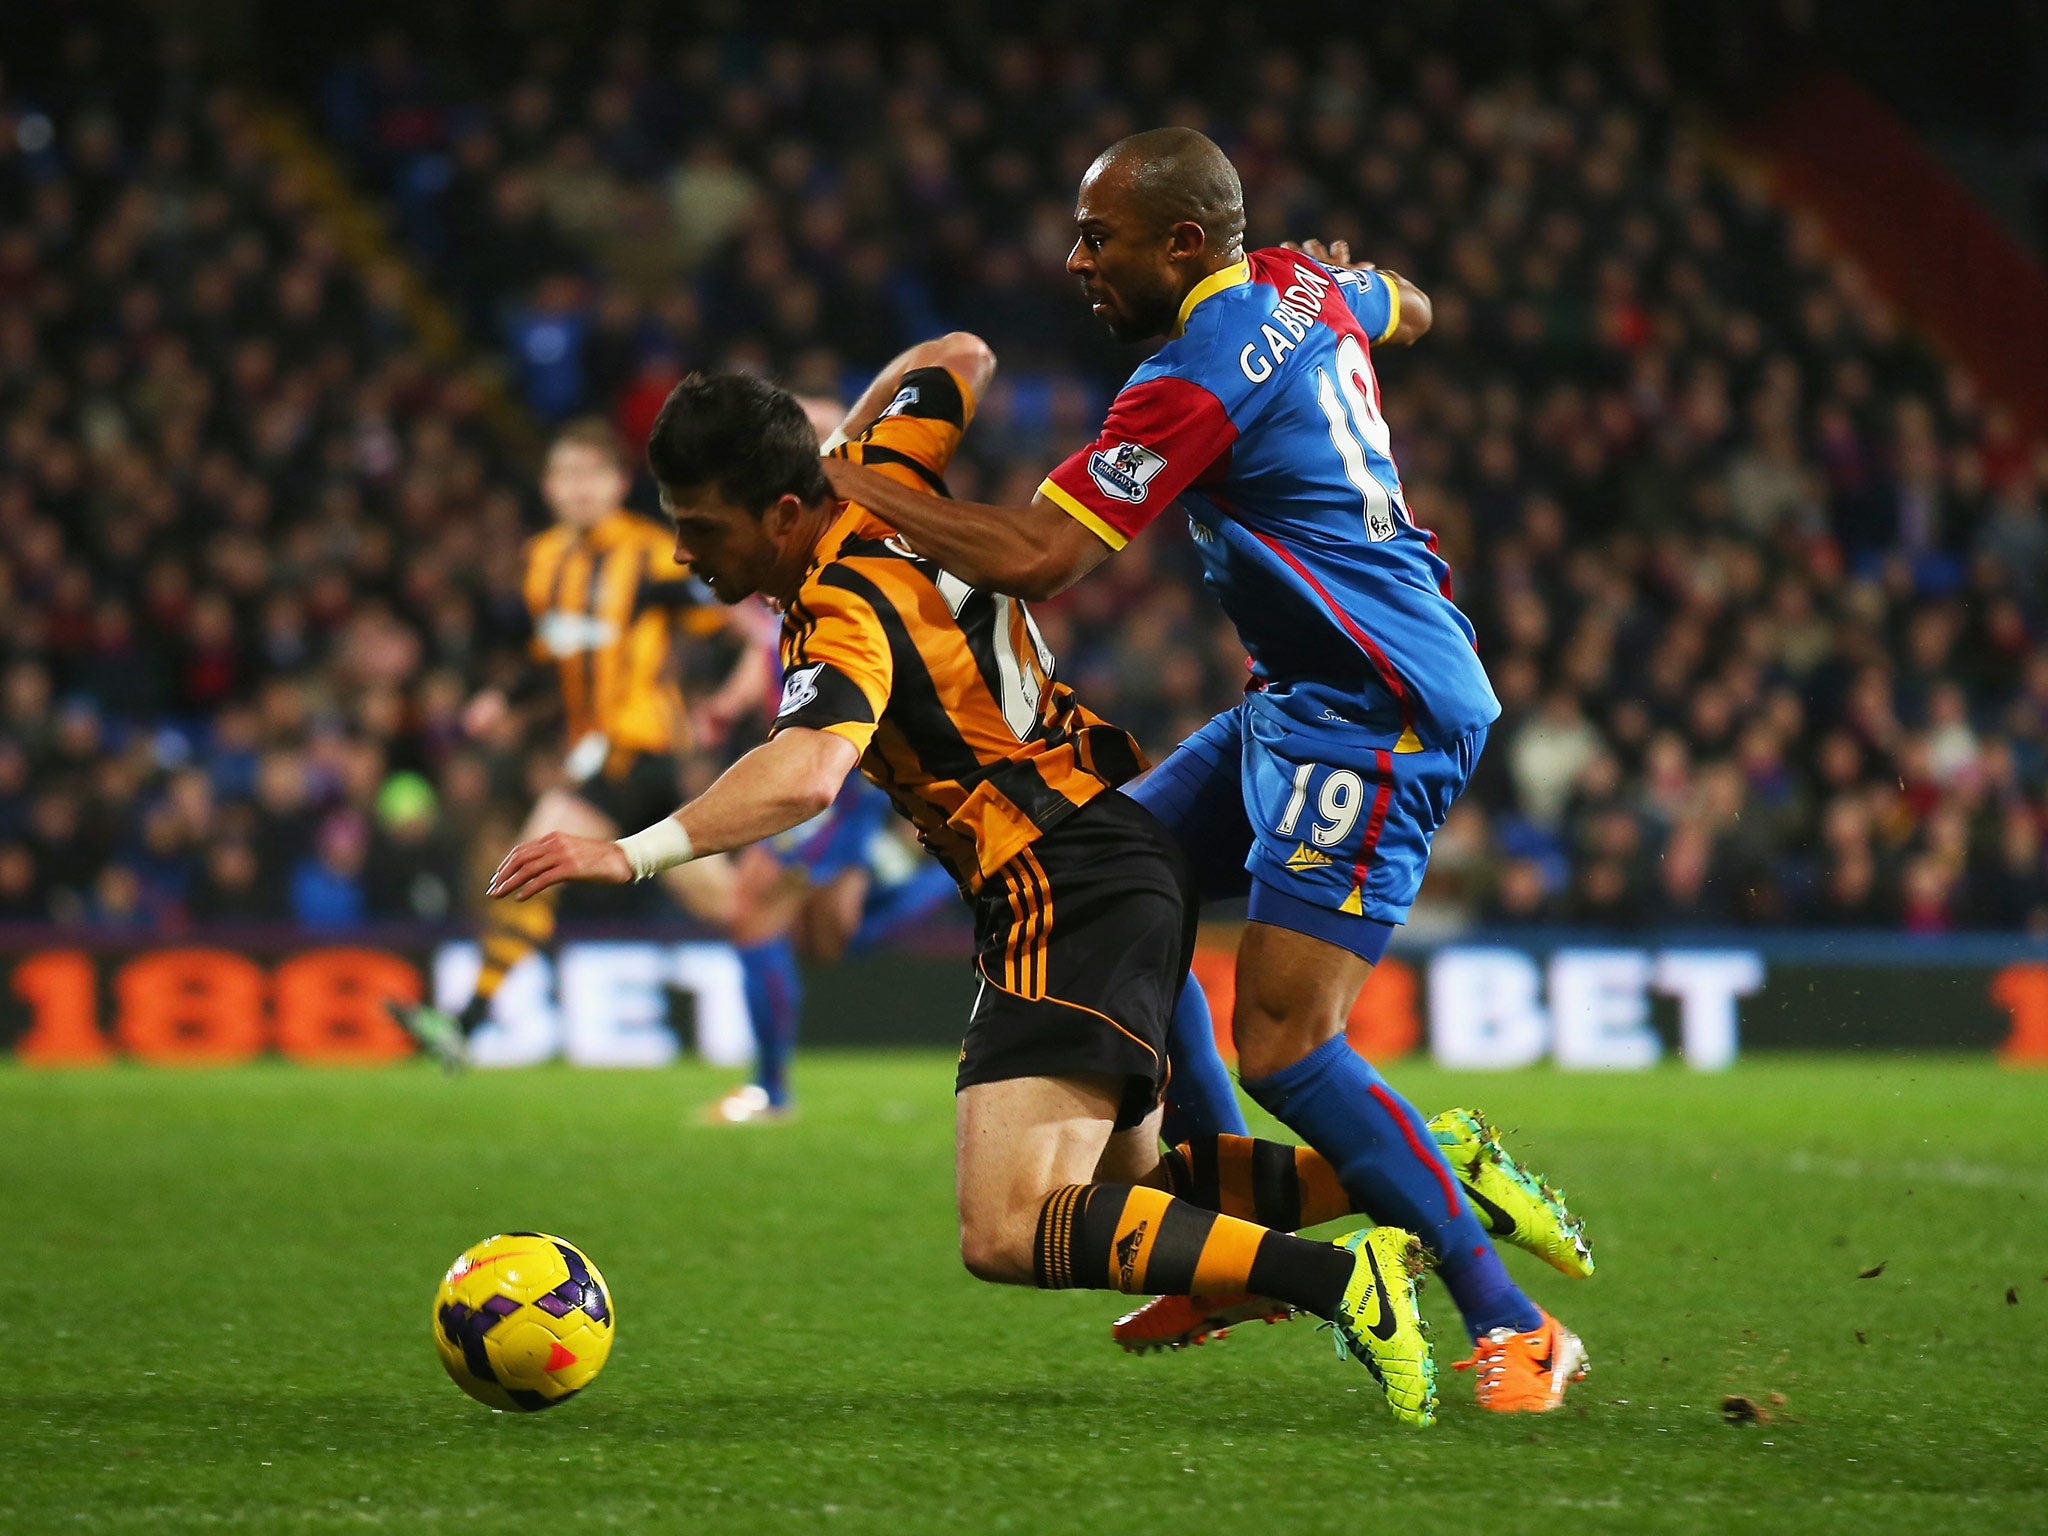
1027,552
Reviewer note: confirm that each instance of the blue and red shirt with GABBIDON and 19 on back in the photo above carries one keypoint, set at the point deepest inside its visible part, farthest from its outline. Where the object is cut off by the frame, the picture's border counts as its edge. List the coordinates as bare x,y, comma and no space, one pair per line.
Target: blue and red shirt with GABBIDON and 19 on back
1263,419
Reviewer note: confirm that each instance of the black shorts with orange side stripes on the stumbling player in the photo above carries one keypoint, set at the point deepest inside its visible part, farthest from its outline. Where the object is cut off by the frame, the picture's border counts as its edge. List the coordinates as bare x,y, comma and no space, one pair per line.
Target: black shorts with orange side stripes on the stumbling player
1082,943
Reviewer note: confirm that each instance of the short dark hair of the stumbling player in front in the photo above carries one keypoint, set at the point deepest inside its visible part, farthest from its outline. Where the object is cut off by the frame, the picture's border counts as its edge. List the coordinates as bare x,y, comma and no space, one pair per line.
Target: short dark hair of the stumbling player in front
742,435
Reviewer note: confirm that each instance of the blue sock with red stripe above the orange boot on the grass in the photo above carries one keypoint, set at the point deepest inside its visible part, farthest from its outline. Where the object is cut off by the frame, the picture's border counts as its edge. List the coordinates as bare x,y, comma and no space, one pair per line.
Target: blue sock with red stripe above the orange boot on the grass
1392,1168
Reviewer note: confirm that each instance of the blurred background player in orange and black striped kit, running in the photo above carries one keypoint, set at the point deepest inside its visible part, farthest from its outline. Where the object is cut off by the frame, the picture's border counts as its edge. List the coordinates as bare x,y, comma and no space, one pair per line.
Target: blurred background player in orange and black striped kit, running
607,603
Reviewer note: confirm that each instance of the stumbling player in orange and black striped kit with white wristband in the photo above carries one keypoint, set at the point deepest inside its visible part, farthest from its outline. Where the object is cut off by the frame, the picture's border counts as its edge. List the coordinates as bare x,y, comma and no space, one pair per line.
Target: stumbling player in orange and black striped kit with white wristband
949,699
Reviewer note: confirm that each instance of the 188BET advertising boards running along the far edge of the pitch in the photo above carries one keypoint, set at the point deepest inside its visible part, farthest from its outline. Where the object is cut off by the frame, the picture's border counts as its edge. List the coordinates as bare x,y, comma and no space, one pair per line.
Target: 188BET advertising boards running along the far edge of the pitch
640,1002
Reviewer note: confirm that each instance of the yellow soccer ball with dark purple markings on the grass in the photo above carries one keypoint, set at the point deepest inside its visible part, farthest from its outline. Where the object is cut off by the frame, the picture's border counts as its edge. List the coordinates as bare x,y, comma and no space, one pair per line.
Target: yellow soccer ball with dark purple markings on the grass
523,1322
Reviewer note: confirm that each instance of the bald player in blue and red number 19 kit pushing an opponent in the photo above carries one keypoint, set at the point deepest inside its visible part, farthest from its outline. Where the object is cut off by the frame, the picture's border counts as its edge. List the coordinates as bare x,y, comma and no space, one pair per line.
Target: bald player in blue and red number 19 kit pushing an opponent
1369,706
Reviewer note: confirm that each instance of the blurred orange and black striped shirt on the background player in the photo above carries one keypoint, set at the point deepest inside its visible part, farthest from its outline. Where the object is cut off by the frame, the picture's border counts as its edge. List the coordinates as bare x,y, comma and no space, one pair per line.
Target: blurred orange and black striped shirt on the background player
605,613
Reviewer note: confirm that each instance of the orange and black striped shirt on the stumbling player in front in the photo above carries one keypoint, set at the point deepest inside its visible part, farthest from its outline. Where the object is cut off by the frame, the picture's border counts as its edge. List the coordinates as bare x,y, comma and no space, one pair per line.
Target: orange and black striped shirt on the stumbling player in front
949,693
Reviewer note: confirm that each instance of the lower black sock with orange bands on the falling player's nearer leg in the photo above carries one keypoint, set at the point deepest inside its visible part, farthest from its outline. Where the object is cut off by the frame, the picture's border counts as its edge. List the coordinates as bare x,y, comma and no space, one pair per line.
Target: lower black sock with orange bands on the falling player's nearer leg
1146,1242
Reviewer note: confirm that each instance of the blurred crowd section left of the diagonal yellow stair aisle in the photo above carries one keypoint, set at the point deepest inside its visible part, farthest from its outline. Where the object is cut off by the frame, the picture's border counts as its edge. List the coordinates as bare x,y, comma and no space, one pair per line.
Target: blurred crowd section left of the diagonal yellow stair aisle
255,552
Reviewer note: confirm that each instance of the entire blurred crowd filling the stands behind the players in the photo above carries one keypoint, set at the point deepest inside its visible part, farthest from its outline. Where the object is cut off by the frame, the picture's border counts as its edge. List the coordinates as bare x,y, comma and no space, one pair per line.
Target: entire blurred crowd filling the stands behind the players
1758,579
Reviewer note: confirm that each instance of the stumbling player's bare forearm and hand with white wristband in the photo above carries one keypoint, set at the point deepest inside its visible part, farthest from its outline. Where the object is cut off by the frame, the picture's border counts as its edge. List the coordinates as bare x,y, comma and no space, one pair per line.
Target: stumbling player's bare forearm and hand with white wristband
775,787
